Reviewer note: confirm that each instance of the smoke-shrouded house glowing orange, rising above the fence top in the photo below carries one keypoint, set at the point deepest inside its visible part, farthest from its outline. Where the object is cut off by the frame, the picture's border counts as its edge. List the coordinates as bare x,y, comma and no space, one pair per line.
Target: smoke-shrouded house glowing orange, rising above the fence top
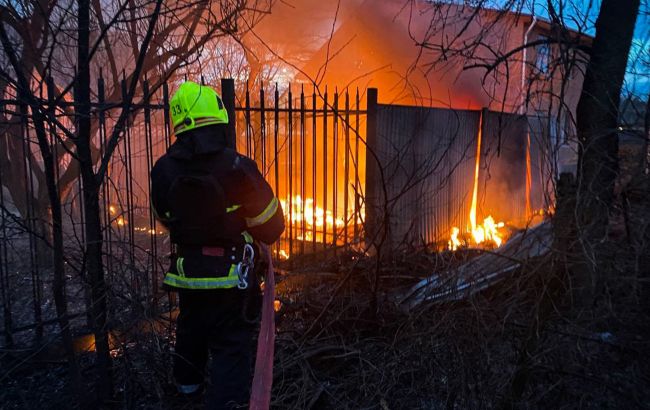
423,53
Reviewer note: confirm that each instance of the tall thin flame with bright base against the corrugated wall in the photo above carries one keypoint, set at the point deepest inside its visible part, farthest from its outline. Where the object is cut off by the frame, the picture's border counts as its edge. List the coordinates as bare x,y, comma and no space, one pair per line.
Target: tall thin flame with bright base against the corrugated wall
488,231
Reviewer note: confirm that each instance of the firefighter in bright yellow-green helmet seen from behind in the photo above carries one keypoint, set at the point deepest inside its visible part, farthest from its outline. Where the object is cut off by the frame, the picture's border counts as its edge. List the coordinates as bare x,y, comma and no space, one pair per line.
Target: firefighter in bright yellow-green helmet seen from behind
217,208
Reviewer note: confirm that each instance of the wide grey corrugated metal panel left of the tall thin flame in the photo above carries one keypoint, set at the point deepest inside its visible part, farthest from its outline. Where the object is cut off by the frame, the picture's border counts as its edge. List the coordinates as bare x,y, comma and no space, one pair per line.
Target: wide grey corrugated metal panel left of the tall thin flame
427,158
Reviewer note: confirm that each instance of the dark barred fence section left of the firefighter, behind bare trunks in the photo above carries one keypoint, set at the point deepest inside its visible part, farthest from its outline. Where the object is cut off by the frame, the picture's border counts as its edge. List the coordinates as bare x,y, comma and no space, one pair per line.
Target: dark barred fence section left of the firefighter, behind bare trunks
134,245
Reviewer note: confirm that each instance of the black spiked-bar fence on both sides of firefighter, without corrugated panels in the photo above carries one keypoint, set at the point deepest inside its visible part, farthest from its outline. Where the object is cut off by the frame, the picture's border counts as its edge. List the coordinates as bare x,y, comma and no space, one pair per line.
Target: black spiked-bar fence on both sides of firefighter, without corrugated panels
307,144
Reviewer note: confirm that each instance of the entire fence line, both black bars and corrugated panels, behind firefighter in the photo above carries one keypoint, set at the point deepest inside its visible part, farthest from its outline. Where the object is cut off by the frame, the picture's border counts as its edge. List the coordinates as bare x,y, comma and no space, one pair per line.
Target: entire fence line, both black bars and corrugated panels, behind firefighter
310,144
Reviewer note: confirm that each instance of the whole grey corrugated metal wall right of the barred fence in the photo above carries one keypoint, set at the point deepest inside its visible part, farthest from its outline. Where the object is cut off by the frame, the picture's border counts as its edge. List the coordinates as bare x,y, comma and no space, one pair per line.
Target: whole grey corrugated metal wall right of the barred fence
427,158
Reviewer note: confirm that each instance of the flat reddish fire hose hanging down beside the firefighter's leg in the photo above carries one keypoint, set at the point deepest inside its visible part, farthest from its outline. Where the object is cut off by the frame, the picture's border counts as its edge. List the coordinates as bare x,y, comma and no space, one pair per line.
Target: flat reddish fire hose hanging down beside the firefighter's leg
263,377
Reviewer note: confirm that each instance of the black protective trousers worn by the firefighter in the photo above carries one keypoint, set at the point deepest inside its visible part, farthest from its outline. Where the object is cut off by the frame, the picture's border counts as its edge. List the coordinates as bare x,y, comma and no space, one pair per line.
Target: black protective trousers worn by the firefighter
221,324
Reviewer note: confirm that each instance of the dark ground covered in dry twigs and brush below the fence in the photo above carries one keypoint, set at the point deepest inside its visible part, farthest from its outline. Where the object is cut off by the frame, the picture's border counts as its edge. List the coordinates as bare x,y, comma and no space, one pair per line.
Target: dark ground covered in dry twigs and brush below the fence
524,343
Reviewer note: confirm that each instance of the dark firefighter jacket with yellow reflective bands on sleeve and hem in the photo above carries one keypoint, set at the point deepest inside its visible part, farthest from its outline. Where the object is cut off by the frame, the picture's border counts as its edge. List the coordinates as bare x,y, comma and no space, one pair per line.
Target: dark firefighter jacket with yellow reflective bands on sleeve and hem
211,226
